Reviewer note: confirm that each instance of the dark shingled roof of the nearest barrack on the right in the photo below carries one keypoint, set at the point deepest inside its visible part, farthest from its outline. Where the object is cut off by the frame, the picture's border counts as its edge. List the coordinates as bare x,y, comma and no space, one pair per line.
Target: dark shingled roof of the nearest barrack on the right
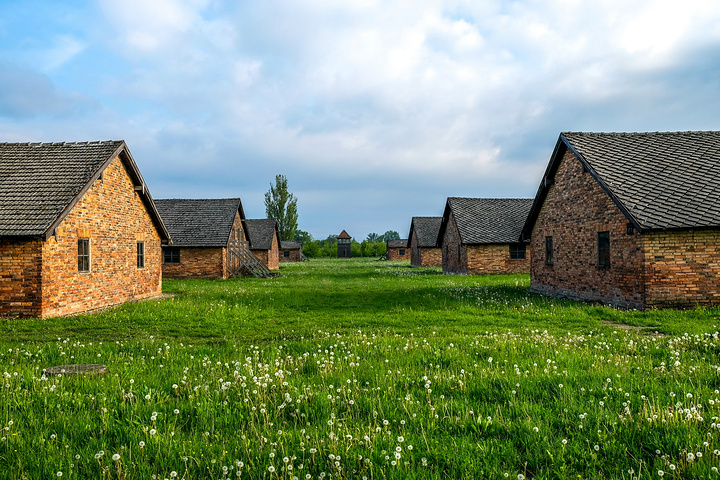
663,180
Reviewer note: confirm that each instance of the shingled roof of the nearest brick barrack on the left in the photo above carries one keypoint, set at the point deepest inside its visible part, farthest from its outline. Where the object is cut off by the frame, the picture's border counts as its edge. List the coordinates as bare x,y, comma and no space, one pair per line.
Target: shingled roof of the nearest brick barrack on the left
38,181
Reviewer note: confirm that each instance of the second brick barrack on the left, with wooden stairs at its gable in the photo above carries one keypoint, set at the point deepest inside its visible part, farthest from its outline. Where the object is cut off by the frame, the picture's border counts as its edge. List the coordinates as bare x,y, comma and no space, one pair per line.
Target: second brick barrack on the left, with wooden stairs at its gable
205,234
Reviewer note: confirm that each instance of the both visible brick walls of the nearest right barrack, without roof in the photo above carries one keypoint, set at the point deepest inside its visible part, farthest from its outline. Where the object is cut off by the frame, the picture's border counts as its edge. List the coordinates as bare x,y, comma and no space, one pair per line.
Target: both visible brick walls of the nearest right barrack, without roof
653,269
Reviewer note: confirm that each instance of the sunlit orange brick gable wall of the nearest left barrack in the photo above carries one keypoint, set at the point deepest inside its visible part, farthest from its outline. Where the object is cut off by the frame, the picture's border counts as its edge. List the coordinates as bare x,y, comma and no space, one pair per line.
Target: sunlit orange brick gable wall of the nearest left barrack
112,215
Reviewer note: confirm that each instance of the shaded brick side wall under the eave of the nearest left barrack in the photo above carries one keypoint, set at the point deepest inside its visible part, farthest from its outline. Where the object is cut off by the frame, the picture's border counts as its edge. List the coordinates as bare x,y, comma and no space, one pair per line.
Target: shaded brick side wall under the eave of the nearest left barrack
20,273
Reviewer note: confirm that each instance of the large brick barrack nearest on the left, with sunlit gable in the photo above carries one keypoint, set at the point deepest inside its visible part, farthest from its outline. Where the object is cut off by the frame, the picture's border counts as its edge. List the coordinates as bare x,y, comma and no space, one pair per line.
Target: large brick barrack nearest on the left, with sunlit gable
78,229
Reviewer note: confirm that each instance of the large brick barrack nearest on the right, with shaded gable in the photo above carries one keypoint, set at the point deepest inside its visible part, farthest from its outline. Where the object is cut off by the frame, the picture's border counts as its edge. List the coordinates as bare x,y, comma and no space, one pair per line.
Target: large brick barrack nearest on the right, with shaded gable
629,219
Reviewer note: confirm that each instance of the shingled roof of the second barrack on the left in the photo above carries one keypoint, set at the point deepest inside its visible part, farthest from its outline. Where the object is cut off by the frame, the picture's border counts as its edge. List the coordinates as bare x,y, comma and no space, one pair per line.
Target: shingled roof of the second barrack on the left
199,222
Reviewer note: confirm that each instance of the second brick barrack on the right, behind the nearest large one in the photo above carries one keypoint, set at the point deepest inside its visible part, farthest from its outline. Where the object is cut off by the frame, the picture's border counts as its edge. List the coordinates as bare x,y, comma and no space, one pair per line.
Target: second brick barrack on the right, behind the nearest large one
482,235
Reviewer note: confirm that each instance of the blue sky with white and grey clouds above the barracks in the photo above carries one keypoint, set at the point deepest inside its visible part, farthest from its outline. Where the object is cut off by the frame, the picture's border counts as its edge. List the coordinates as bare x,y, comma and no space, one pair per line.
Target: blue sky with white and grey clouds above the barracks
375,111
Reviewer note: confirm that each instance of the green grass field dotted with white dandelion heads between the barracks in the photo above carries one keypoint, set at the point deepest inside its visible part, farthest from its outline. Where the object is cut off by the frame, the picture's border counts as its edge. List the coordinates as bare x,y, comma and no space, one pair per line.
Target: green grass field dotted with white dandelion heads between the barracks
362,369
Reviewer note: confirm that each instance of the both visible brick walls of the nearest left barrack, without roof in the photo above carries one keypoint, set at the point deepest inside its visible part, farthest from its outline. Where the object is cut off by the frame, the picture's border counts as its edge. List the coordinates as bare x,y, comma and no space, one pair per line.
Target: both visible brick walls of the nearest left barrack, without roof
44,275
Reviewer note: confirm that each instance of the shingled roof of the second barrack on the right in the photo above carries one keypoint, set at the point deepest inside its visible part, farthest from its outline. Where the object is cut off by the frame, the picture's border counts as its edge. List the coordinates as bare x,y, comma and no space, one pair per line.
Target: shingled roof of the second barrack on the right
488,220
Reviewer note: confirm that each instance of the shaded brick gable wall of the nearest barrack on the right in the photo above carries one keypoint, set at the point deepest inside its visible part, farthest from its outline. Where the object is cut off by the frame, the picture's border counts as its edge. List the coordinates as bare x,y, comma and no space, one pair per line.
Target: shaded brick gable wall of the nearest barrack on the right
575,210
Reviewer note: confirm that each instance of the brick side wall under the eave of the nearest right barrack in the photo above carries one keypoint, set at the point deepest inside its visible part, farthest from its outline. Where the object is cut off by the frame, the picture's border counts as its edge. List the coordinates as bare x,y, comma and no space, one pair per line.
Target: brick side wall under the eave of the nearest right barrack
682,268
